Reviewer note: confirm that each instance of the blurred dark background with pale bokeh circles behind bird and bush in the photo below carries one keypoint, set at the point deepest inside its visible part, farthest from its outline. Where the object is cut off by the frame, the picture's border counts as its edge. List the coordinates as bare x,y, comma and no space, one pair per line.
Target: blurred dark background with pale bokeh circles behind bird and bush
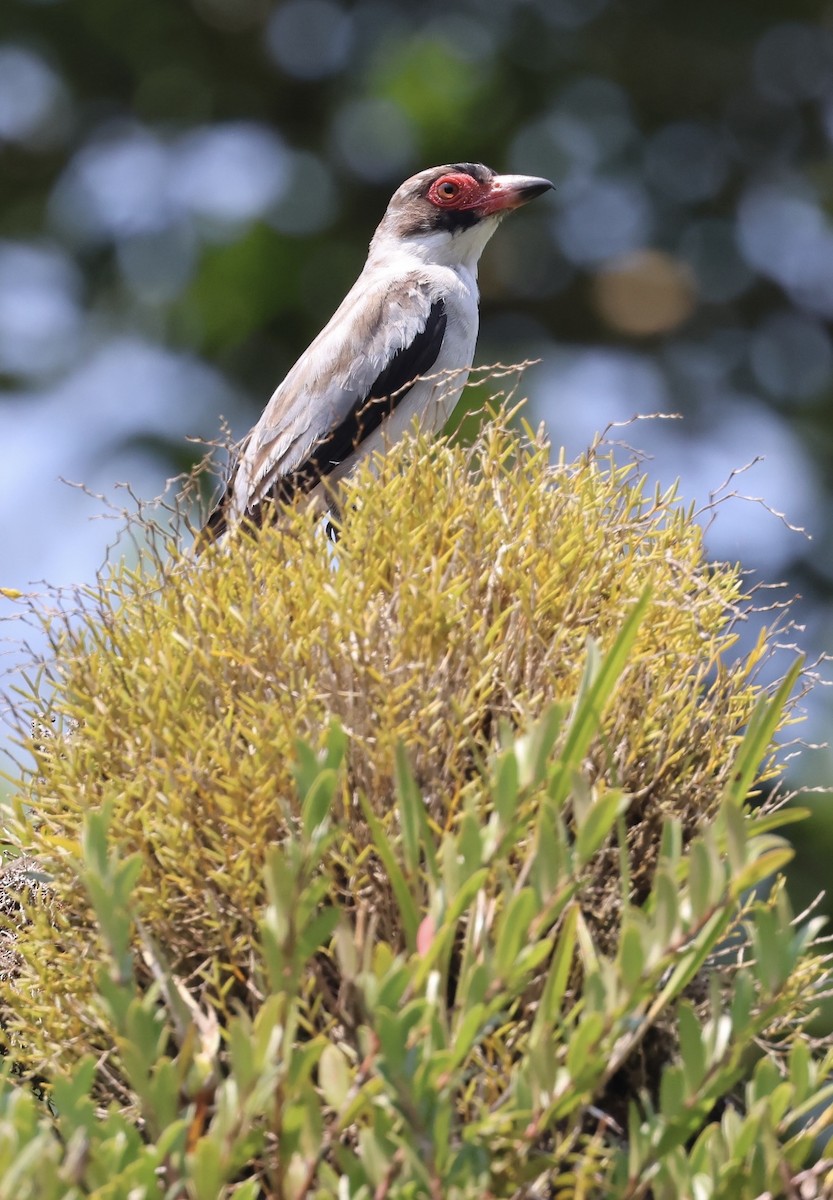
188,191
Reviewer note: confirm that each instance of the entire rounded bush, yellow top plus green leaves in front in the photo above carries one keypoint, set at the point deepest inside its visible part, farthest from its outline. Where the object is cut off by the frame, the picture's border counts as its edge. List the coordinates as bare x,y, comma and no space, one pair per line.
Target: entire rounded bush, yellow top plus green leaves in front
420,866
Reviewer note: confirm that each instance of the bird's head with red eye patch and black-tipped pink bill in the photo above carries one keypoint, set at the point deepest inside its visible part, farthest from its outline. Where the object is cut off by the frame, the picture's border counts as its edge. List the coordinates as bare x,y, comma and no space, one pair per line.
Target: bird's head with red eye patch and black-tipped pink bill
448,214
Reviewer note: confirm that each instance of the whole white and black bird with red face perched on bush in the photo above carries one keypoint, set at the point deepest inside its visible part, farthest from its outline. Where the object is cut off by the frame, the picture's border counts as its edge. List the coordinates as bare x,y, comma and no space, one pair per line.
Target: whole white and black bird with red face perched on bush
399,347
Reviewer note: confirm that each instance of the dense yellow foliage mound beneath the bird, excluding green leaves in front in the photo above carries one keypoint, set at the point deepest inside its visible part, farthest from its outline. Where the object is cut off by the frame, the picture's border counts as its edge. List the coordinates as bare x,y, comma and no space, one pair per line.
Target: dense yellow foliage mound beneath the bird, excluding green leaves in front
460,601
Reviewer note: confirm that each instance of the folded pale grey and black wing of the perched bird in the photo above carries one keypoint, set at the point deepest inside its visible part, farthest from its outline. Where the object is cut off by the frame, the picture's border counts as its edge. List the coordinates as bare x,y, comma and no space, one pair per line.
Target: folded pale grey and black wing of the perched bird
375,347
